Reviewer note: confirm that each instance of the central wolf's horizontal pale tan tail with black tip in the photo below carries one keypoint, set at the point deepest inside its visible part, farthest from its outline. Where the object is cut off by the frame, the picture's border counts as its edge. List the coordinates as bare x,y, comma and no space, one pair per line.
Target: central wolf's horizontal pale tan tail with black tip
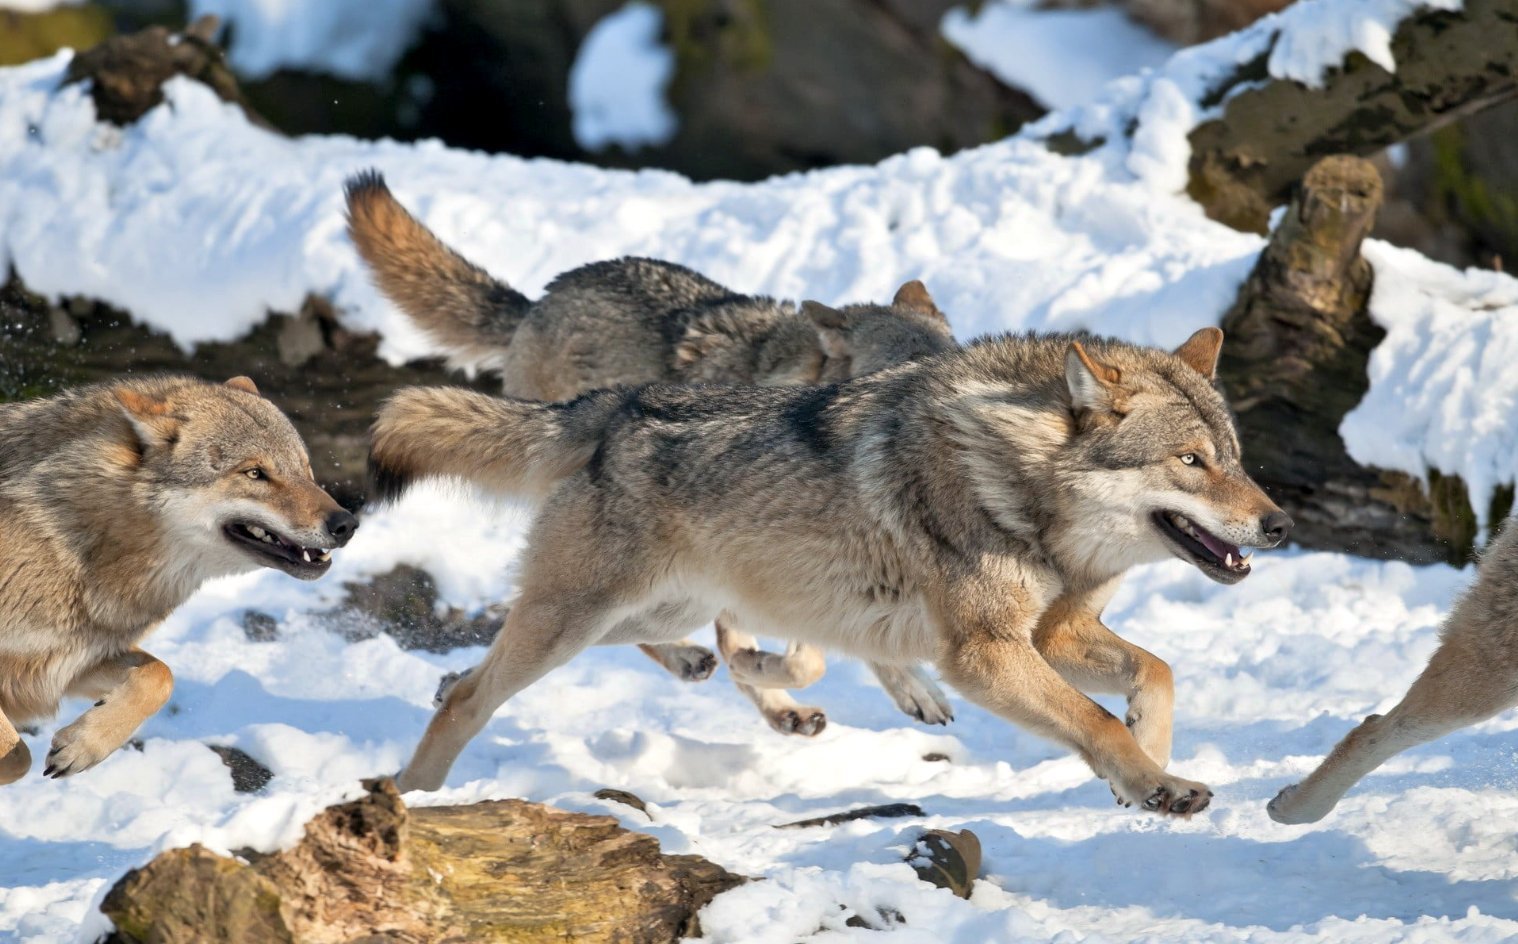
505,445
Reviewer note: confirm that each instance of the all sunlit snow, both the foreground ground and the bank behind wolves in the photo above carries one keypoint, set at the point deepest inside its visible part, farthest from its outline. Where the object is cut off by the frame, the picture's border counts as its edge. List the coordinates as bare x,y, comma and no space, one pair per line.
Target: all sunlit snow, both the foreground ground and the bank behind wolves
200,224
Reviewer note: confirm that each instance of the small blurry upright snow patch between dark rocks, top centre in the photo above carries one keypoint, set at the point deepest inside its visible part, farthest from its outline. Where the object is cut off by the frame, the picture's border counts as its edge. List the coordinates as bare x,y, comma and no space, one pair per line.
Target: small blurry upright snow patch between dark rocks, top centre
619,81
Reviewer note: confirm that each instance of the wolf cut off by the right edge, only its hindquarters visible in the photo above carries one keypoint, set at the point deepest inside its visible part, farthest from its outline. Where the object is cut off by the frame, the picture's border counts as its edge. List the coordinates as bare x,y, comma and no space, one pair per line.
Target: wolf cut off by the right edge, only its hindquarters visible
1472,678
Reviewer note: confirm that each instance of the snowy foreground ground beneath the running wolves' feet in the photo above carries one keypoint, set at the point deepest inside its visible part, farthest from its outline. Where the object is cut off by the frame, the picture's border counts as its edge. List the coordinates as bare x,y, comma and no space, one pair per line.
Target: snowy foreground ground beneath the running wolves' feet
1270,675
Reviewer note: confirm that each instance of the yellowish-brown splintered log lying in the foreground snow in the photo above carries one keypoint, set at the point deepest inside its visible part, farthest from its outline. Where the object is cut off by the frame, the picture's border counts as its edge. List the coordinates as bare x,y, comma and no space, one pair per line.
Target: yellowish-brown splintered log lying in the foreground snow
502,870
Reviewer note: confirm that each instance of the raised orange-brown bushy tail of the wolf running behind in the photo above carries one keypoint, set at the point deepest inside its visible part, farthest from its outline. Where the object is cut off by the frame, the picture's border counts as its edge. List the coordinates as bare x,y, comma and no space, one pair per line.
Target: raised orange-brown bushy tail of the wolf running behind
456,303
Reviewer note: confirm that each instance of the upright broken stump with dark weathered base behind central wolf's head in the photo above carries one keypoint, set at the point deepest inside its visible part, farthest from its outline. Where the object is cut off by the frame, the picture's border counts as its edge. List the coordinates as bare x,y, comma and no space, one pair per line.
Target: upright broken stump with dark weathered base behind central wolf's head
1300,339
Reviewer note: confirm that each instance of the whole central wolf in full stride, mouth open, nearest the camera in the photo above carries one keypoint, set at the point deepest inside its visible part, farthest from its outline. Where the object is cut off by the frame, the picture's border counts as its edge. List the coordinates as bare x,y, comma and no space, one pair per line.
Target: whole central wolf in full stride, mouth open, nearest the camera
975,509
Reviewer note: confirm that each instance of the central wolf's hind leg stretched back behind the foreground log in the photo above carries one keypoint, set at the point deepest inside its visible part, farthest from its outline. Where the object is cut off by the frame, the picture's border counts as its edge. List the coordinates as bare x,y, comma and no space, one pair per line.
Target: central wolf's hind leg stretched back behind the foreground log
538,637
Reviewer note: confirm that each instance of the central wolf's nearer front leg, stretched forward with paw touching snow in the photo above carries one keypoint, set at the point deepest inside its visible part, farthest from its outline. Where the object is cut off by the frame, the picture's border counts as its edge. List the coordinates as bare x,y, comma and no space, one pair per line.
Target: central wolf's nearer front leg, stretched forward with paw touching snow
989,655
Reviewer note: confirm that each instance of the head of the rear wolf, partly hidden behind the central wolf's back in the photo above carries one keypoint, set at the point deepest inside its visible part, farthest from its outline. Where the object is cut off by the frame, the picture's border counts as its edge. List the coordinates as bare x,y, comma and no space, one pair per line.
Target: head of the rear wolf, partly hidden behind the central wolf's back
863,339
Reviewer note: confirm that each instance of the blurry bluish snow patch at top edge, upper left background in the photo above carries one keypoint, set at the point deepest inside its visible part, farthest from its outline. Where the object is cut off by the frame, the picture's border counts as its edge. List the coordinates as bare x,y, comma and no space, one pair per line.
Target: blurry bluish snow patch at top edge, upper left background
359,40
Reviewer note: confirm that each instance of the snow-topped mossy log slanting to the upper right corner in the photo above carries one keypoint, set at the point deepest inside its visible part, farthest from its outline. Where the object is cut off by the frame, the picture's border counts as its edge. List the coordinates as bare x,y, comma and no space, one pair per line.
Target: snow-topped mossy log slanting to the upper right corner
1449,65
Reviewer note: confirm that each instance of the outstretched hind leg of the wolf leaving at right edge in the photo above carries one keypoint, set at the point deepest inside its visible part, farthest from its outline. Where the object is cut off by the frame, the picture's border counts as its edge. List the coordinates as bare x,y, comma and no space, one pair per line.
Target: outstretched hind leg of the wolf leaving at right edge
1466,684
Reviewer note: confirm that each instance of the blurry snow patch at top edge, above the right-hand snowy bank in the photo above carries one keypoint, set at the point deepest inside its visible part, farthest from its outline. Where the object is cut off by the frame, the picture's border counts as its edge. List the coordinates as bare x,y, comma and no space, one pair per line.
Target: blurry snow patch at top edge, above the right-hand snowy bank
1060,57
